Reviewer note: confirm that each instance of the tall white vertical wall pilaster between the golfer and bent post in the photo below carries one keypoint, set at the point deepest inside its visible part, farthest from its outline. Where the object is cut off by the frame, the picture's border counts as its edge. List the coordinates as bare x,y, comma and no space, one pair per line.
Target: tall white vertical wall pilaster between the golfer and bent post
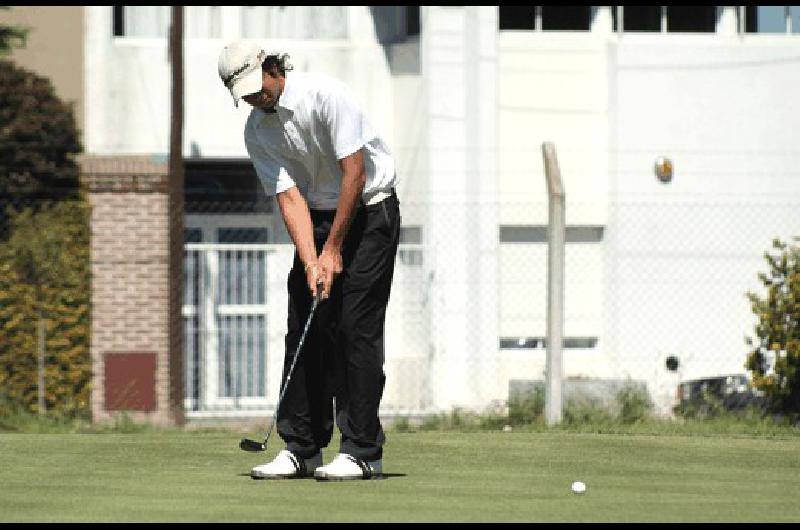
458,54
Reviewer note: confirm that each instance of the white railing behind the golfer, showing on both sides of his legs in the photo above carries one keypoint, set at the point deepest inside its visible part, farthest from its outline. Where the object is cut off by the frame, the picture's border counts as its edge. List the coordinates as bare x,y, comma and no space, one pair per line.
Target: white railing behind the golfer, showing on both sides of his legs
234,314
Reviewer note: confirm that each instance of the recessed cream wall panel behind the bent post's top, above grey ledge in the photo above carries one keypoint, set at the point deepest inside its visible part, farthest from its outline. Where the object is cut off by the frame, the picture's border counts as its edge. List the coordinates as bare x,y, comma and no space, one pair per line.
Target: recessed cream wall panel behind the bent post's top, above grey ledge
553,87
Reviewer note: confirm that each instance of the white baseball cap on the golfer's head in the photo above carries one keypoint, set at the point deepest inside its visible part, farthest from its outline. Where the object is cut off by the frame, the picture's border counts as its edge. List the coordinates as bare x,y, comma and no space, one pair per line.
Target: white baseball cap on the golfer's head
240,68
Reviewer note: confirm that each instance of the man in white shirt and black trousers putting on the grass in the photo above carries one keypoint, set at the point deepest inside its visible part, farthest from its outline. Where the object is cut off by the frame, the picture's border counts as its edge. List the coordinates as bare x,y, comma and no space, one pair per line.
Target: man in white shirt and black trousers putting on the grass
334,178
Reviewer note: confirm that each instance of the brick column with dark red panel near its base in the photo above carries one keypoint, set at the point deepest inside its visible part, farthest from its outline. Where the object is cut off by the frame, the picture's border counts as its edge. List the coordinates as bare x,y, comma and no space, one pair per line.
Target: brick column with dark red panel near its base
137,362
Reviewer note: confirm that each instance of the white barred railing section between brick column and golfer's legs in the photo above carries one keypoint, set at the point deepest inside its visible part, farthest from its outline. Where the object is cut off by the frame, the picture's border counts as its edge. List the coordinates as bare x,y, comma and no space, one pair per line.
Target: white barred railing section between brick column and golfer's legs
232,333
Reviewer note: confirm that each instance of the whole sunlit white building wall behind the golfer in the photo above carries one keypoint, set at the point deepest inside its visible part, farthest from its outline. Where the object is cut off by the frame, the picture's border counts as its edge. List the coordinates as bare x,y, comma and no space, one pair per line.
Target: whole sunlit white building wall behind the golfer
670,274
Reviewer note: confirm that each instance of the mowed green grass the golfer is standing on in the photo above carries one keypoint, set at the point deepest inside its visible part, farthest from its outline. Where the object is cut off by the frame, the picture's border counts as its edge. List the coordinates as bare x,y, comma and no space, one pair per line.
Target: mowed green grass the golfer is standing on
434,476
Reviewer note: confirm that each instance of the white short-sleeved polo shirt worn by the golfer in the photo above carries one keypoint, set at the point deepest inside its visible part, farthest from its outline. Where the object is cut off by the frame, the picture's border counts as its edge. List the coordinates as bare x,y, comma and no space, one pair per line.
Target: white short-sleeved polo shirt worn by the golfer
318,122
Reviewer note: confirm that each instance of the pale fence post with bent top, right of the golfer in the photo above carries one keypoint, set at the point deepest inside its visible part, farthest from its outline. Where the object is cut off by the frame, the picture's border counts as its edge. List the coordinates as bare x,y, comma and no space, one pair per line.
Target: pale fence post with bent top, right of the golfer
556,238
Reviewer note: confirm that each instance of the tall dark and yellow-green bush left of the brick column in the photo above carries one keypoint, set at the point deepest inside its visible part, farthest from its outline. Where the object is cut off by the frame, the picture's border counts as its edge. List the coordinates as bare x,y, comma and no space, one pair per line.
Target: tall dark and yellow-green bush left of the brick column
44,247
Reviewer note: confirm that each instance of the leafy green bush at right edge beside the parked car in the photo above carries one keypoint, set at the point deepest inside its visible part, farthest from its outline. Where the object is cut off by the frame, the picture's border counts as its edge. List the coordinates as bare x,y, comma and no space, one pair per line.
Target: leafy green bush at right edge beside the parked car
775,358
